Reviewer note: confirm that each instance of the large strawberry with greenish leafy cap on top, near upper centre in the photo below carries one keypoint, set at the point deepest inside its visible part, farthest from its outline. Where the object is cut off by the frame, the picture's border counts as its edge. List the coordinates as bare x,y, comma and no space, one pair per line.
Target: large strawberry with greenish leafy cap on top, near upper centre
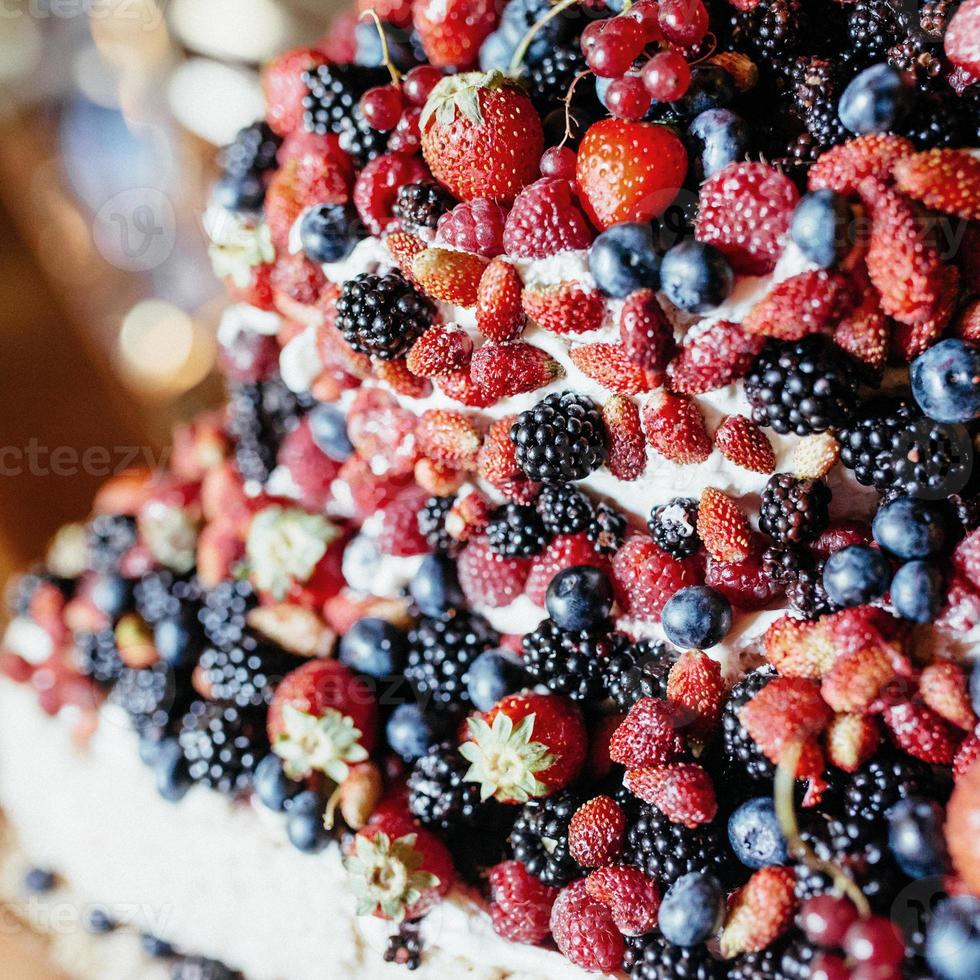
481,136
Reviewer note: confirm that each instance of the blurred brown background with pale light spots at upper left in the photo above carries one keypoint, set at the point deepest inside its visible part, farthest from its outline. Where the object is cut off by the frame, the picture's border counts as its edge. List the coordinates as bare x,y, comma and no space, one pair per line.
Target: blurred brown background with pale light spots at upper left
110,114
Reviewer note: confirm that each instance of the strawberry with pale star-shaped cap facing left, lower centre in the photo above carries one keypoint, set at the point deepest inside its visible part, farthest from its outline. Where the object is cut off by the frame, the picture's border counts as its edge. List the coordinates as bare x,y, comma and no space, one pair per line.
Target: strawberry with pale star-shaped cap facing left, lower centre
527,746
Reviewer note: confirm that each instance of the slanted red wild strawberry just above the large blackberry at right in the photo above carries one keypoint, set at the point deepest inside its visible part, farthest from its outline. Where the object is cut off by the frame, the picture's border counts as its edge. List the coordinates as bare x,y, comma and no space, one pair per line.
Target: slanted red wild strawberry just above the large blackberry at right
810,302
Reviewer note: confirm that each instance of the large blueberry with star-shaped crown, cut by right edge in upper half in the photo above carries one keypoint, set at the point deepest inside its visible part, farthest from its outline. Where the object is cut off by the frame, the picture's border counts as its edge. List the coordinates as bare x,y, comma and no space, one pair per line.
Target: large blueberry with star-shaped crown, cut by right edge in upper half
946,381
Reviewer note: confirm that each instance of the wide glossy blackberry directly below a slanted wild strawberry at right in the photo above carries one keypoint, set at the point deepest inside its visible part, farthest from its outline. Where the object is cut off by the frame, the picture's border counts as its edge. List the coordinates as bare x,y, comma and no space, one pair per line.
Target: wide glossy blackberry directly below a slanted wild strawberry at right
805,386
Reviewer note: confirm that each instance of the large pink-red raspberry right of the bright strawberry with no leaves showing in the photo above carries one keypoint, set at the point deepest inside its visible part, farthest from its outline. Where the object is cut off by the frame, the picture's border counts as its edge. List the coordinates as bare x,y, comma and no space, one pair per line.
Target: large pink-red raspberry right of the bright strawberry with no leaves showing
745,210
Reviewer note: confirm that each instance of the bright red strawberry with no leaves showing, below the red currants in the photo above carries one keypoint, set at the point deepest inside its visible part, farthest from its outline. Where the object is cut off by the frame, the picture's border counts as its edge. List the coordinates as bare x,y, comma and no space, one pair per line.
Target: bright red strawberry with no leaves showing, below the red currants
628,171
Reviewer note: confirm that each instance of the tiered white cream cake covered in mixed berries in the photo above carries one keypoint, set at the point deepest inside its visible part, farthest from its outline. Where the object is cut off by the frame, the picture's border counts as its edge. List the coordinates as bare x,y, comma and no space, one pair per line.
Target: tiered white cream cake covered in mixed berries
583,575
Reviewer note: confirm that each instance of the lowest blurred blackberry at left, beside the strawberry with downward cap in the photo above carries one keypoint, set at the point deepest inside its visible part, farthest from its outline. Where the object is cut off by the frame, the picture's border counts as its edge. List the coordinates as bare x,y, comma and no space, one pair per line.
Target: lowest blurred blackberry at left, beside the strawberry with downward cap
222,745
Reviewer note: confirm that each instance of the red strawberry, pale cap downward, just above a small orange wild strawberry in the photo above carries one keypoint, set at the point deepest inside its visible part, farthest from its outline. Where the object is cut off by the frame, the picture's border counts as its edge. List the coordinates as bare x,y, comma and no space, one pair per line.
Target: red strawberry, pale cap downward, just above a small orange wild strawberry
323,717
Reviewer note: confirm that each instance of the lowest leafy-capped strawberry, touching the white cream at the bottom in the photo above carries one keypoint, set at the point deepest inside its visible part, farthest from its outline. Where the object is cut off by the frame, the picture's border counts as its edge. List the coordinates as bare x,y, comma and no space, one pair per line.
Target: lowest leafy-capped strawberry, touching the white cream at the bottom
396,869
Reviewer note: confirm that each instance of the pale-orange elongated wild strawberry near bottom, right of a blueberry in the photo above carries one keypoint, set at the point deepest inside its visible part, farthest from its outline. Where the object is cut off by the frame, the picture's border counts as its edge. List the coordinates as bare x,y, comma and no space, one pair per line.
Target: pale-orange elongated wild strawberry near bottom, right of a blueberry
759,912
